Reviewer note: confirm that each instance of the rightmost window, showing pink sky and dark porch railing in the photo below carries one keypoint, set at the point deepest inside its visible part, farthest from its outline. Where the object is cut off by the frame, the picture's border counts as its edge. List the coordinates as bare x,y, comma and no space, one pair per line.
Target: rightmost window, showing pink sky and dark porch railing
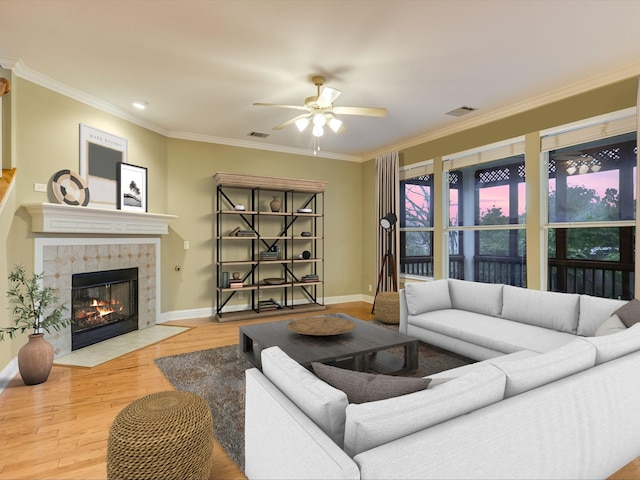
591,210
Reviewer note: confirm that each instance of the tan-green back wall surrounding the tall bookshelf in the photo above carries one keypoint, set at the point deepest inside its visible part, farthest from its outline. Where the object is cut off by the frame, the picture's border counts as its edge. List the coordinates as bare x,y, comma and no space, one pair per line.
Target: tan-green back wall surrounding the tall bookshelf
191,196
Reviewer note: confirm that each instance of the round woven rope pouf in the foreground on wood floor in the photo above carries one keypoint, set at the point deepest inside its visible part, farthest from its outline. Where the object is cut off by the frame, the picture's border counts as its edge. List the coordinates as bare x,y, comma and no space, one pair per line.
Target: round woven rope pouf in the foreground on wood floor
165,435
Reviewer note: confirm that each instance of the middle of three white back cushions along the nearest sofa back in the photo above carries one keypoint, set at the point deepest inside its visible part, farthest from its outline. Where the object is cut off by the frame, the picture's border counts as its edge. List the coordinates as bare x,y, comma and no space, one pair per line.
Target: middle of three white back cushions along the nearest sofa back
529,373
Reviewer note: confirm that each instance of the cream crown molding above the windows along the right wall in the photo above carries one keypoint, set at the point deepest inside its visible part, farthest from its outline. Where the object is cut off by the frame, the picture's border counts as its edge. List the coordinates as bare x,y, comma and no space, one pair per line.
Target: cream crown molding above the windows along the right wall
479,119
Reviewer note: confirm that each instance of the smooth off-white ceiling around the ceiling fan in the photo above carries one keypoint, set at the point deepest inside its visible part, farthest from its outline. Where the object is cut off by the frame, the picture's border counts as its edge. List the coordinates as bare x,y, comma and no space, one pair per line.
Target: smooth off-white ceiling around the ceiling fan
202,64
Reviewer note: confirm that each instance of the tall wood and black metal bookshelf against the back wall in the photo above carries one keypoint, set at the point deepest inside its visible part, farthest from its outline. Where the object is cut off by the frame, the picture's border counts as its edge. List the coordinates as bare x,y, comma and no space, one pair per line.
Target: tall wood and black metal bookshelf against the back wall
257,244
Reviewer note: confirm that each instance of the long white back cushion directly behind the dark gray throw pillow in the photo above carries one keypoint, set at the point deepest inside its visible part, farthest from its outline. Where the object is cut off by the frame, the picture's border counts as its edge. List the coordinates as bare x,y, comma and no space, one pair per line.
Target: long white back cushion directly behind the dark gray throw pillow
375,423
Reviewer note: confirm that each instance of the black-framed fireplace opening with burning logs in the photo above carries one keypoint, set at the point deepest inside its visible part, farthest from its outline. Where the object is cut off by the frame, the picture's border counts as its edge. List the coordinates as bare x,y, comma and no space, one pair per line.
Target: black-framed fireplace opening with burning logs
104,305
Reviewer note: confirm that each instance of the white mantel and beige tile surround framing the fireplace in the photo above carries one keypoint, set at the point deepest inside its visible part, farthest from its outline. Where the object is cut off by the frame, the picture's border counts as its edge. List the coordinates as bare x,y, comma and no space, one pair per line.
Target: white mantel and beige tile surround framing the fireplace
77,249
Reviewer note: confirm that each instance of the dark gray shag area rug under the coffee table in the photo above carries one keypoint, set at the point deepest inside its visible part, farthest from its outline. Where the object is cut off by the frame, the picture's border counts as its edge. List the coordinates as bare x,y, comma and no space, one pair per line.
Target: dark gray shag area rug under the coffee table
217,374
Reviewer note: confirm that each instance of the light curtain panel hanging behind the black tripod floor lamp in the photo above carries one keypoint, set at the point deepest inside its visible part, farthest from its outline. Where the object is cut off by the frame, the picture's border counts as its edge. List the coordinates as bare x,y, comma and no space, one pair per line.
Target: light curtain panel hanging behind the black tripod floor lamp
387,201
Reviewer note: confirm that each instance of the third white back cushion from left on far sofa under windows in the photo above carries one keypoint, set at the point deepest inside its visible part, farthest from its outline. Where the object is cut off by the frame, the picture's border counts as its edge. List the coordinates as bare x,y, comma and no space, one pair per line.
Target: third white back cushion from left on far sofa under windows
553,310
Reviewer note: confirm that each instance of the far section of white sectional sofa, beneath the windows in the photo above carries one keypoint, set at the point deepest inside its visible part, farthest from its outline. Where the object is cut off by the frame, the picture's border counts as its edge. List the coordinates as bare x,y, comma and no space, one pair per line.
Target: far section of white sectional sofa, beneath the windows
481,320
